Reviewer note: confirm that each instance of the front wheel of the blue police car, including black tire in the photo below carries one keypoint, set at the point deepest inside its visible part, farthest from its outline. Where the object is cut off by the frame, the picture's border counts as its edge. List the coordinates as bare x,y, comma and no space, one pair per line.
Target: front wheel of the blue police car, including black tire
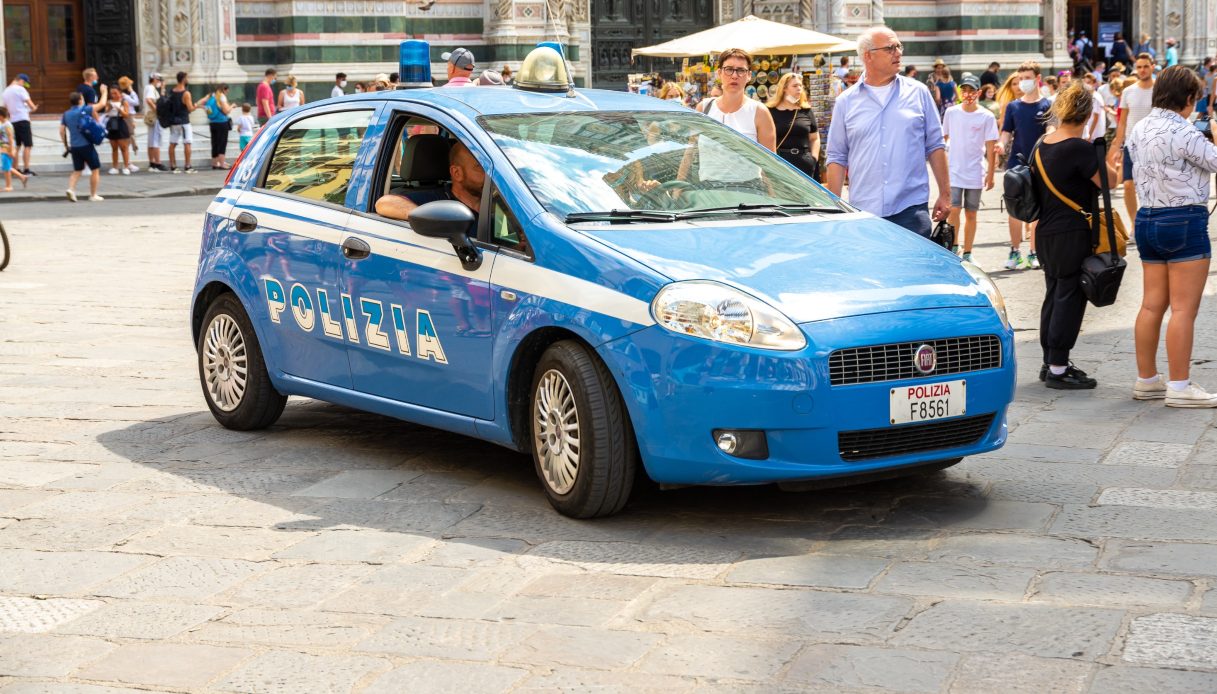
604,439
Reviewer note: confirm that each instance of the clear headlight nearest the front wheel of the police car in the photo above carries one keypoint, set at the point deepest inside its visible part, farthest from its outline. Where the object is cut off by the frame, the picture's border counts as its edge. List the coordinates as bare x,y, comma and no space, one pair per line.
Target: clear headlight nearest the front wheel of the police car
713,311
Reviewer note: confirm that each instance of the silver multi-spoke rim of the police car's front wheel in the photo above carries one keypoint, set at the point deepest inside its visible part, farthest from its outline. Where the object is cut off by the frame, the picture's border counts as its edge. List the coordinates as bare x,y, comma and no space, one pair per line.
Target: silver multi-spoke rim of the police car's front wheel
557,432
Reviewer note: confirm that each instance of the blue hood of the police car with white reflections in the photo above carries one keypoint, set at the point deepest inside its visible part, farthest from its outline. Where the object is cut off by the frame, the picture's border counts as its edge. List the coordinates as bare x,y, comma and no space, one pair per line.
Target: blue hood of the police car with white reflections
811,268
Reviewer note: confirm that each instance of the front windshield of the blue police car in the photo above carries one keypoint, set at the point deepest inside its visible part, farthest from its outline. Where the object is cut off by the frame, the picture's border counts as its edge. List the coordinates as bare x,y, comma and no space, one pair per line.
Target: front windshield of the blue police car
598,163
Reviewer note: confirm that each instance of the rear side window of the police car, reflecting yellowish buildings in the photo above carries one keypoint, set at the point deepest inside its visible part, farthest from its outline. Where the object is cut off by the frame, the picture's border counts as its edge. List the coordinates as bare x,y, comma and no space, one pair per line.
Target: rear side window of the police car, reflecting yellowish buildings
315,156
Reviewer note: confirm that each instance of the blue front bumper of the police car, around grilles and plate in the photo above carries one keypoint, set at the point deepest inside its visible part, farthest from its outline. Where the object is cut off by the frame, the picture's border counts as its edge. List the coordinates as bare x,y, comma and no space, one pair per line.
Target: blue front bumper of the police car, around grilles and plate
678,390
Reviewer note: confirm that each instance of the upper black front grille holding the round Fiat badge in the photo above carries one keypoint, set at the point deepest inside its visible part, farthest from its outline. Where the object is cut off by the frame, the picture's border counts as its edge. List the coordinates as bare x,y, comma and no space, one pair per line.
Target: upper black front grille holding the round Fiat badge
895,362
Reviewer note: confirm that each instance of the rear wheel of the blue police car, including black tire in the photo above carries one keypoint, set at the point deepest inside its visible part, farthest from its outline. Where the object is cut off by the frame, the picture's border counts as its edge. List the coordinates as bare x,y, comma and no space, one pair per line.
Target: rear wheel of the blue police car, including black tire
245,406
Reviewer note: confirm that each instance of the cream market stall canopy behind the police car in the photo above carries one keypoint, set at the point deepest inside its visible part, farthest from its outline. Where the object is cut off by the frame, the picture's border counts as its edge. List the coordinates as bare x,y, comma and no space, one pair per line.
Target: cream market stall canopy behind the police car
754,35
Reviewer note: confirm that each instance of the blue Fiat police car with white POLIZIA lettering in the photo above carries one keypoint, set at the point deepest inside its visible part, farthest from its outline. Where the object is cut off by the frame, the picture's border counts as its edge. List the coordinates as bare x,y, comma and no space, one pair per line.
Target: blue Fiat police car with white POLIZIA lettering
614,284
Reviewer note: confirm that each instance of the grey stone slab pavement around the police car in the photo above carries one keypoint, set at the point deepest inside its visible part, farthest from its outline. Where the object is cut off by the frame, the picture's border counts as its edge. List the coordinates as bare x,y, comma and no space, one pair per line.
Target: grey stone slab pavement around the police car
145,549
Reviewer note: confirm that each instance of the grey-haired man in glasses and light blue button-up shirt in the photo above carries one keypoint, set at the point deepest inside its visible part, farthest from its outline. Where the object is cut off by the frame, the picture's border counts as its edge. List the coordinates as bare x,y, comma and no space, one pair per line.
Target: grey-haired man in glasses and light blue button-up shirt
883,133
